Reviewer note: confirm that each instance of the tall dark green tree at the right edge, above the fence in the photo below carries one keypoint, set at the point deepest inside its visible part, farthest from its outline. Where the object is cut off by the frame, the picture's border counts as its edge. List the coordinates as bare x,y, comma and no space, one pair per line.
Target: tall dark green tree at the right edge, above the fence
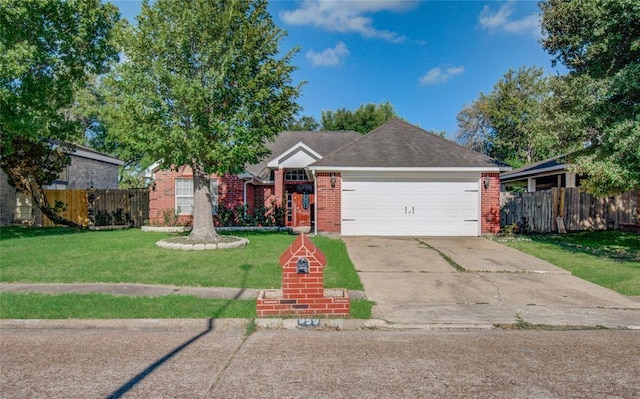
599,42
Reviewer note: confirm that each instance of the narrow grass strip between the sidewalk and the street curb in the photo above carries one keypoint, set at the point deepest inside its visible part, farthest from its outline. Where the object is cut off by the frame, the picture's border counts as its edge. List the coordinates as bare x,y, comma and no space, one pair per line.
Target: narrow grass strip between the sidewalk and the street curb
104,306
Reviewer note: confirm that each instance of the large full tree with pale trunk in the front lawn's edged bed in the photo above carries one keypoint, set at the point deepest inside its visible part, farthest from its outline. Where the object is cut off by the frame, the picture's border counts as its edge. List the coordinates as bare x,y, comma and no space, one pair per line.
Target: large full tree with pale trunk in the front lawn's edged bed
202,84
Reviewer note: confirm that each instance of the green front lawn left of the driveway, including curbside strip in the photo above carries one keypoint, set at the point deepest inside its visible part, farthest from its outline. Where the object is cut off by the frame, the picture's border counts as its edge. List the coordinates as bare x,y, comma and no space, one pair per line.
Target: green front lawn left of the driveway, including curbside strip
61,255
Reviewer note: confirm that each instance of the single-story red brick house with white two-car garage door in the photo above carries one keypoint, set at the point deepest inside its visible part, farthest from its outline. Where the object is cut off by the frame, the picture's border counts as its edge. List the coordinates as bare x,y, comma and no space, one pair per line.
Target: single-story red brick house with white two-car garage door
396,180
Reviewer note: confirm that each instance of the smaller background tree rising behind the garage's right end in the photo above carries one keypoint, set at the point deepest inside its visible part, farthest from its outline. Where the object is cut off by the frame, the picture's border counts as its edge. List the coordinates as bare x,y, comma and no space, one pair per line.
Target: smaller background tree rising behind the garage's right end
508,123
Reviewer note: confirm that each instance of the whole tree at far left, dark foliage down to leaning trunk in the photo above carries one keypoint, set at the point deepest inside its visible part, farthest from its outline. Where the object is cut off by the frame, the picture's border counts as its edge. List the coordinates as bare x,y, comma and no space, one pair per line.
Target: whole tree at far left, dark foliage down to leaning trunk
48,51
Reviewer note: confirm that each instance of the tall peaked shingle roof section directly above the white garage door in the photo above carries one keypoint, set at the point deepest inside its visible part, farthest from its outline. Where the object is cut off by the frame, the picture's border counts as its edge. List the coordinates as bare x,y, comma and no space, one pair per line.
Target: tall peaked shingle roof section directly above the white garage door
400,144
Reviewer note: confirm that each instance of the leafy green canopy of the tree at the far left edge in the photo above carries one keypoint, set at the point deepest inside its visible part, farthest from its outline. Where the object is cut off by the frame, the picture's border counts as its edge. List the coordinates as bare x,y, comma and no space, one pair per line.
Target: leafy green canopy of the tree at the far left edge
48,50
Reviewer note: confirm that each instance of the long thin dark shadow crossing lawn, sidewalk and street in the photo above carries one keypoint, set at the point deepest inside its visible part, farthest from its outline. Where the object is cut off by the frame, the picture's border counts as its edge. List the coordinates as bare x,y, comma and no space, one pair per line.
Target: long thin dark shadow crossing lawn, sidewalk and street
129,385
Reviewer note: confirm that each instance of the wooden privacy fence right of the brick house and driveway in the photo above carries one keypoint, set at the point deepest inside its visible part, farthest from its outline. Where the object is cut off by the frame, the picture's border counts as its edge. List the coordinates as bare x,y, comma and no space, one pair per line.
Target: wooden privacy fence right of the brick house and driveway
578,210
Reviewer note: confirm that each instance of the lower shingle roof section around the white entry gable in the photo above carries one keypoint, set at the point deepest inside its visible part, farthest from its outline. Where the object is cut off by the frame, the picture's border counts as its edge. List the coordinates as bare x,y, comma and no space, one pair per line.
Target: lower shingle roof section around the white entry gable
322,142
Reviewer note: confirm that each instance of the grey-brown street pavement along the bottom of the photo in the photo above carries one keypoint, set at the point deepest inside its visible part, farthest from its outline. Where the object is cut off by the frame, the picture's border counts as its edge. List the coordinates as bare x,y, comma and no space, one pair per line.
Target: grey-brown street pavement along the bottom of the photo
196,359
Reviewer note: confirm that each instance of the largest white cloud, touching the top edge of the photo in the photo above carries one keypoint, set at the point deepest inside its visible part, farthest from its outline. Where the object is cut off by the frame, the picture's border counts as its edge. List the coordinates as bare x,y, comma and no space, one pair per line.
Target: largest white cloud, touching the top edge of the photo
346,16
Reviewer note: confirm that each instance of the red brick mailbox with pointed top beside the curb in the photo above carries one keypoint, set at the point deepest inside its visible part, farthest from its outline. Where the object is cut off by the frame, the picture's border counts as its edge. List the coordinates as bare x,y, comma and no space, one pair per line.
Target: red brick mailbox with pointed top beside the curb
303,291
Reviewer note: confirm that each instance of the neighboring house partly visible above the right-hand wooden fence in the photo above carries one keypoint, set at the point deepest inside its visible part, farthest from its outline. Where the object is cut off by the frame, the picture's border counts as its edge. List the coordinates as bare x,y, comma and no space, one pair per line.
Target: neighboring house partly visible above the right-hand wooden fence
543,175
